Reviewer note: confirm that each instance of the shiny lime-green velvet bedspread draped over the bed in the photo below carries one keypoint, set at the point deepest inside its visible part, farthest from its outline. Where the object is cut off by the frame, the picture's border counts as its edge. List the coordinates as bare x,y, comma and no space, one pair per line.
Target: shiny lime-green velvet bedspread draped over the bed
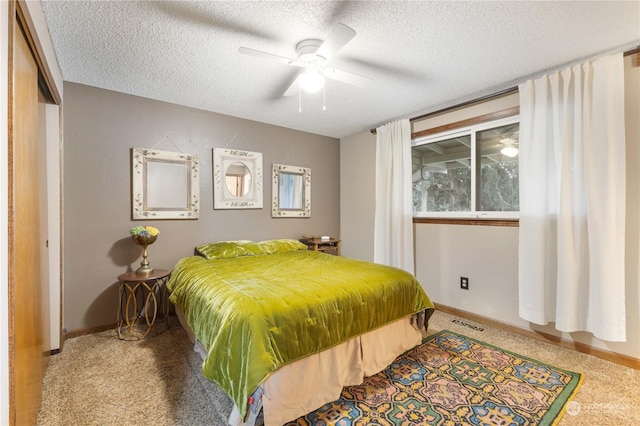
255,314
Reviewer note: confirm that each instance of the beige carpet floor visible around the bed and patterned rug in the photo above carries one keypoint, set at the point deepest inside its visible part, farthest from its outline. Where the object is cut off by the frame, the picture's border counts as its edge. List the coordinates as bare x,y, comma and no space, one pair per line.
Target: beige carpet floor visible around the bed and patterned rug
100,380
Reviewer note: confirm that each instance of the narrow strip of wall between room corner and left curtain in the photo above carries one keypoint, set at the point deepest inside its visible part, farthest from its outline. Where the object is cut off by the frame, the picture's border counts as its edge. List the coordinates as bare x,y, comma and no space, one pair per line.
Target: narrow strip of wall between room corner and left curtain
357,195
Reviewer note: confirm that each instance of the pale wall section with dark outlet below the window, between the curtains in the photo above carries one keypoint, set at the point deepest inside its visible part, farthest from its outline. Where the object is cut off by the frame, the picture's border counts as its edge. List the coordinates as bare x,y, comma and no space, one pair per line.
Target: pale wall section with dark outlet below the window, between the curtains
484,254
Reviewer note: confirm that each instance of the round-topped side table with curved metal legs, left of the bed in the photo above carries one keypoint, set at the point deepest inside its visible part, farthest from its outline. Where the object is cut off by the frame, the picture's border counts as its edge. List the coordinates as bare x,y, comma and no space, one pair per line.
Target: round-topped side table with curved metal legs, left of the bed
140,299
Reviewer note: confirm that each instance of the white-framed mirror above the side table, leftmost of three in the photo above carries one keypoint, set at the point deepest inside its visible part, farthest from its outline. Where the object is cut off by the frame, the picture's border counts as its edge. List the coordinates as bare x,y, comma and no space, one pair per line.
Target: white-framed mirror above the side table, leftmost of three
165,185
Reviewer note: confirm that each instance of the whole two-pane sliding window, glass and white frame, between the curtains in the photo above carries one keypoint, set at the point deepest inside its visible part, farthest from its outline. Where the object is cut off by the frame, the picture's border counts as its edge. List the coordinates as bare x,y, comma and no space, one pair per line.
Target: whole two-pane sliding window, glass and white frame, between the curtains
469,172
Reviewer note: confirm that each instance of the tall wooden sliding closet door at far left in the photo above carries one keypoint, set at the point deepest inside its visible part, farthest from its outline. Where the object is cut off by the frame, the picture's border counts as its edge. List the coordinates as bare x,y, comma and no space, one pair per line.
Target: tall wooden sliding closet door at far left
28,300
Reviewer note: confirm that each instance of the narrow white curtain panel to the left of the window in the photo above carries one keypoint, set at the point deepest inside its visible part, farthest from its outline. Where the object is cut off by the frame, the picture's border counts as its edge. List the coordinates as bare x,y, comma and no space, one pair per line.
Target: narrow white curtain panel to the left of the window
393,234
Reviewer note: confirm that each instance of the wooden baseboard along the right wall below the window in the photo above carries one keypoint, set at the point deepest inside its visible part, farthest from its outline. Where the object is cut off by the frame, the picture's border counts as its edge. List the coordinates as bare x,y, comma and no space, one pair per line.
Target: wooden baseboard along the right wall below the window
556,340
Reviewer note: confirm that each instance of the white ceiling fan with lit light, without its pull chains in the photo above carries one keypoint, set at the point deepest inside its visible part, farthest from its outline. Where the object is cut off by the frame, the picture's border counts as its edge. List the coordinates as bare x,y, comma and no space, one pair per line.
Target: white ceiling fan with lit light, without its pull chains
312,59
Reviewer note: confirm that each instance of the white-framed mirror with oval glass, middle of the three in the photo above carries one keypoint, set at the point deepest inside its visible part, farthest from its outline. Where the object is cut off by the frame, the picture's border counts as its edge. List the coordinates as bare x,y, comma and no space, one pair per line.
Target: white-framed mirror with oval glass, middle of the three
237,179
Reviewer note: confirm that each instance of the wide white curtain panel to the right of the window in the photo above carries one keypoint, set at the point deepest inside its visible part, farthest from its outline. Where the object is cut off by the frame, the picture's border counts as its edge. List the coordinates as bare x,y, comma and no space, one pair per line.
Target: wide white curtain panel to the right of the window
572,199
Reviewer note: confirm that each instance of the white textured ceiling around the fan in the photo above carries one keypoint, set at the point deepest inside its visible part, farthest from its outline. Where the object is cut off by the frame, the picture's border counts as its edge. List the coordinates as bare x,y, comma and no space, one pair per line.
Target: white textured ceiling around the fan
421,55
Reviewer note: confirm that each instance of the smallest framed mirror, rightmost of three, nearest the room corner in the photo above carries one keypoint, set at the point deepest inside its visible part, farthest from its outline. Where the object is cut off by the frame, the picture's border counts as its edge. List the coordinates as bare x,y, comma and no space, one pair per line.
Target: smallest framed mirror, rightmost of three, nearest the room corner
291,191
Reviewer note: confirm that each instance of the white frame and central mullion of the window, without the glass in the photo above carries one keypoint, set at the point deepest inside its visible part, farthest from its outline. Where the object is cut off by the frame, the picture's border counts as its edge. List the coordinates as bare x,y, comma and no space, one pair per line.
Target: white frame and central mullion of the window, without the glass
470,130
